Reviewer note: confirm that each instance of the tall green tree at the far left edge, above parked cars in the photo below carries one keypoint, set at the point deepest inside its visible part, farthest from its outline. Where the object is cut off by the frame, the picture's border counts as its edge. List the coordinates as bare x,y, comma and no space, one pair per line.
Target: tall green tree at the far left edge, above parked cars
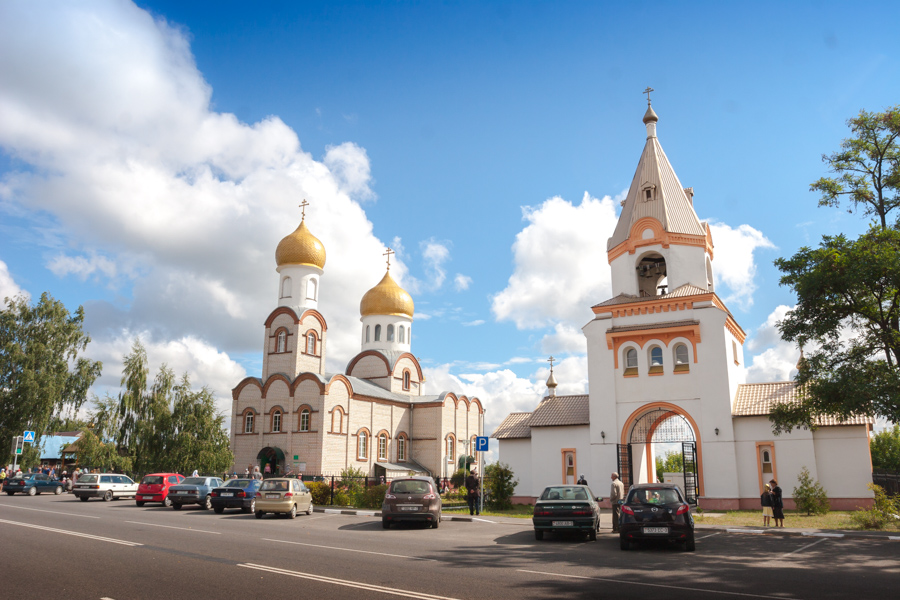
43,373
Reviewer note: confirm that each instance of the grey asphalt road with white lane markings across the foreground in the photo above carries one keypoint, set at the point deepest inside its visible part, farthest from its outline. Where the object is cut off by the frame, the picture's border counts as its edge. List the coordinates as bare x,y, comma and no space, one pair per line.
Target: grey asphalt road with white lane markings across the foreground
56,546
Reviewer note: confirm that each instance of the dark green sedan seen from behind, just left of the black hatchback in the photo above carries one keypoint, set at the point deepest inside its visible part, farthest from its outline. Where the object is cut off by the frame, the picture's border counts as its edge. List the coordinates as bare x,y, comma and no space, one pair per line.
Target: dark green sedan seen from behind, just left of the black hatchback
566,508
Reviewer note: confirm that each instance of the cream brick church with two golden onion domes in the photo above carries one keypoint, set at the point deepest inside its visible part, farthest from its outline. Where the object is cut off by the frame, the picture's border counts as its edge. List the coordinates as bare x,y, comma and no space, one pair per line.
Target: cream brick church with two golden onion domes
297,418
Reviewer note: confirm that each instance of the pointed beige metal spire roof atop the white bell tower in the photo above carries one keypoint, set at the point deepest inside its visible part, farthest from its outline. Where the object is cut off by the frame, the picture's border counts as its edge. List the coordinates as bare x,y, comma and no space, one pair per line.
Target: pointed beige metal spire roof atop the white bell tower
667,202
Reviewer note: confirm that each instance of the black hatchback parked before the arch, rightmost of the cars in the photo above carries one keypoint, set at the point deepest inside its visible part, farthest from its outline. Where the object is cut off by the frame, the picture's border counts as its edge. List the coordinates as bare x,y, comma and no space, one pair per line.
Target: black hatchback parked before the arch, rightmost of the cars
655,511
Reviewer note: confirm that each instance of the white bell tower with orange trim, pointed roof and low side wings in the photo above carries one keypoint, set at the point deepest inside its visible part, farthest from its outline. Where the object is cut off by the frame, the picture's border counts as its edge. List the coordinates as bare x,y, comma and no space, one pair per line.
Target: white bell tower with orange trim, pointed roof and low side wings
666,371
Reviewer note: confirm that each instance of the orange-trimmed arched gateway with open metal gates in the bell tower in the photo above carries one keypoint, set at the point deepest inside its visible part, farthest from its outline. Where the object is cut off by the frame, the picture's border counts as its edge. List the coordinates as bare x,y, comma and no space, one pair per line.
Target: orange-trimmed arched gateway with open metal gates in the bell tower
654,428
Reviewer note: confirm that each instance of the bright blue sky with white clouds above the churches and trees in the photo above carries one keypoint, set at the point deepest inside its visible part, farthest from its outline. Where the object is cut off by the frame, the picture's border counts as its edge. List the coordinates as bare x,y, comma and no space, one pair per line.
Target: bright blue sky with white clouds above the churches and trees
152,155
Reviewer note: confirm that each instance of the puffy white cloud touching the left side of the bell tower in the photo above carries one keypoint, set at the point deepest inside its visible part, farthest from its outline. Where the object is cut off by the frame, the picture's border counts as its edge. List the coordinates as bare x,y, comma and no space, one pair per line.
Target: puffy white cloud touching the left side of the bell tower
561,268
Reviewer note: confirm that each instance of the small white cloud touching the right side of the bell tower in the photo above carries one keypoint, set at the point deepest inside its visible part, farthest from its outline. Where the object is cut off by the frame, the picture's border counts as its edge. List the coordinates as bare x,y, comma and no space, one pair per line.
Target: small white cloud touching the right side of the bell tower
734,264
